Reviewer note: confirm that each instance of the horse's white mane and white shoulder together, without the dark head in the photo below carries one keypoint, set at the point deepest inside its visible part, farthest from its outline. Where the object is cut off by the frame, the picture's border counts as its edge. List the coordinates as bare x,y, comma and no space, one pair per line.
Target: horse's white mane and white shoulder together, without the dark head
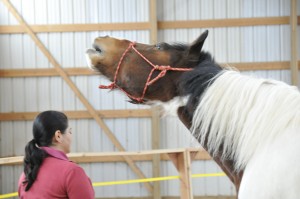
257,124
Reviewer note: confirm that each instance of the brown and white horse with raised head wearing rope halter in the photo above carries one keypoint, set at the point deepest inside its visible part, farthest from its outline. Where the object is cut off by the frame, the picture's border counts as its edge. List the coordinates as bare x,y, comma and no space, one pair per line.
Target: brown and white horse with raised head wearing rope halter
250,126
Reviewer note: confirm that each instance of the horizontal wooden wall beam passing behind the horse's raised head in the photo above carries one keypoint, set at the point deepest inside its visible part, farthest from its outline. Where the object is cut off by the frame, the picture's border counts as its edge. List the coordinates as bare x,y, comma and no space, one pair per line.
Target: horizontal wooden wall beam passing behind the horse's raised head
79,71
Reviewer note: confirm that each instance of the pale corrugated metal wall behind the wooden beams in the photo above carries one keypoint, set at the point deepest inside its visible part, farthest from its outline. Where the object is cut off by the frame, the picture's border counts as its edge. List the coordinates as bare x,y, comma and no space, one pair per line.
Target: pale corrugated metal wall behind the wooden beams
237,44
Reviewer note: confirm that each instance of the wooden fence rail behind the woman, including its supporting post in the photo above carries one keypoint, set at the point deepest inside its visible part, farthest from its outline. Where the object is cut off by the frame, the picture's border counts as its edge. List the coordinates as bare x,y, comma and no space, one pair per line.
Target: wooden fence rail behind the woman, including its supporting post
181,159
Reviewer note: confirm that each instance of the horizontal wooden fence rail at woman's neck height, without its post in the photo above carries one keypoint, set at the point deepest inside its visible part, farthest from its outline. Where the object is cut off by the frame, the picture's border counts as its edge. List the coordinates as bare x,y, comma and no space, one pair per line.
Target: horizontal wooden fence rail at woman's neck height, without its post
118,156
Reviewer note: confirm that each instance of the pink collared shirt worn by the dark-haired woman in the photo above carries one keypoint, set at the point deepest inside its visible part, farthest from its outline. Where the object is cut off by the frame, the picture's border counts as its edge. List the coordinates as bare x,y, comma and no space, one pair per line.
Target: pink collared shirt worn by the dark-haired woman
58,178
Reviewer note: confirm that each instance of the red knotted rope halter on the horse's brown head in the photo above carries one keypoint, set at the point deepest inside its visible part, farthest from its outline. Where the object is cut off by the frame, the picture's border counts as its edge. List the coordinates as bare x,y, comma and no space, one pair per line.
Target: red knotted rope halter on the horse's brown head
149,81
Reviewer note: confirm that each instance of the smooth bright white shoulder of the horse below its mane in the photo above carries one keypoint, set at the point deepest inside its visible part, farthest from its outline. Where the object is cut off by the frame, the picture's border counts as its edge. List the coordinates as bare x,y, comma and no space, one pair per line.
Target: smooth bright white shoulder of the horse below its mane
273,172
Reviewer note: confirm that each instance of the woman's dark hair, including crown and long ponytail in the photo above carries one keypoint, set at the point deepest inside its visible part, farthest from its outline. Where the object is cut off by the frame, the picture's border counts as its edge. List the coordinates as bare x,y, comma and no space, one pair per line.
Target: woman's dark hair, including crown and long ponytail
44,127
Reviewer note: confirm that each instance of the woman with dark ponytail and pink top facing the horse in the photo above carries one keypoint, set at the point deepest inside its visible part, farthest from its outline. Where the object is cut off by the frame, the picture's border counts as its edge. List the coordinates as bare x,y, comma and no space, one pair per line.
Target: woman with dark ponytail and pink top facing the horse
48,173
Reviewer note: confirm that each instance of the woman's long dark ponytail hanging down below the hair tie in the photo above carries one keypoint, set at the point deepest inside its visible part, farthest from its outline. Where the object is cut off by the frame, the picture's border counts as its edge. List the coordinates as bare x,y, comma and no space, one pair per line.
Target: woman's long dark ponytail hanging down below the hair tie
32,161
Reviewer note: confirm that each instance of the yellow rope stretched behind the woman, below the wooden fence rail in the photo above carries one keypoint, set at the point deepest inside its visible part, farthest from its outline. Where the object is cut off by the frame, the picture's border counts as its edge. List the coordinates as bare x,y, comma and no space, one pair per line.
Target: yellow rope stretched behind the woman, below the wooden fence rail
97,184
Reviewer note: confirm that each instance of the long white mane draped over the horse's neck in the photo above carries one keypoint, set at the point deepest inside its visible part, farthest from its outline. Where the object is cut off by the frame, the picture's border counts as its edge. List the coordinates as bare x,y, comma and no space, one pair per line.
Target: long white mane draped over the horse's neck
243,114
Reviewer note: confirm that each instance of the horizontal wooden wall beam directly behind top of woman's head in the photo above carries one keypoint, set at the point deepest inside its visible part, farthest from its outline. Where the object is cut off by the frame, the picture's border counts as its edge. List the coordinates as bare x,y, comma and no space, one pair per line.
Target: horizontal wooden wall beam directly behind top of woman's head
105,114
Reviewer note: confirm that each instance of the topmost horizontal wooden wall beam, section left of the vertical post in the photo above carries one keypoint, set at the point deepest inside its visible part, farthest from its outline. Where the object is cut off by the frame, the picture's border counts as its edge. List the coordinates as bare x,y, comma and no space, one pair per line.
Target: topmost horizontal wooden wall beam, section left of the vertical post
17,29
